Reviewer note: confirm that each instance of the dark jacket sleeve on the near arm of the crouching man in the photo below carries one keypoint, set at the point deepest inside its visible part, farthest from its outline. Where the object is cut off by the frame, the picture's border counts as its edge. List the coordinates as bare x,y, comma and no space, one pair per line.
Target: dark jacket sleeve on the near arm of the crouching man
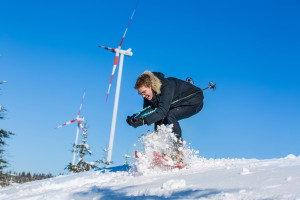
167,94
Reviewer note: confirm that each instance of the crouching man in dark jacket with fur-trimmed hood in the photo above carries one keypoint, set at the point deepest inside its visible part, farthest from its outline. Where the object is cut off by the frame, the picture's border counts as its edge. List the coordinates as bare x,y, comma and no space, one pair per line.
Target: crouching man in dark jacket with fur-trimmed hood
170,100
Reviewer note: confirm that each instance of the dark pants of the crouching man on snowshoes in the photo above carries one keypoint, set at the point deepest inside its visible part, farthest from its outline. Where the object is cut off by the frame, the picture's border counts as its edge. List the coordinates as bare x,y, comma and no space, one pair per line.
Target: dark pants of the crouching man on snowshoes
178,113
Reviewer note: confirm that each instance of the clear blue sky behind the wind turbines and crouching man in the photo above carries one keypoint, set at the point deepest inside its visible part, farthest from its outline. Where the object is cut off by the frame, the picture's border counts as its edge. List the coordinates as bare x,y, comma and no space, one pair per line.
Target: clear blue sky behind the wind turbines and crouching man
49,54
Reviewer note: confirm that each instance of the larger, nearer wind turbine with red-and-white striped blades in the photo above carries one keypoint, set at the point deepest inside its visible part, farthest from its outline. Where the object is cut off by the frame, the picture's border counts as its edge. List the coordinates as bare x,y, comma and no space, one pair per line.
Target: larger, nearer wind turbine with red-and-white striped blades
119,52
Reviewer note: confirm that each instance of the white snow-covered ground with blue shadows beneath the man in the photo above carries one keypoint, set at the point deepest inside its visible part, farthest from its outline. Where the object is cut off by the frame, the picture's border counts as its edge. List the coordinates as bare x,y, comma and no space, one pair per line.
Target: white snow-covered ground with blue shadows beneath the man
201,179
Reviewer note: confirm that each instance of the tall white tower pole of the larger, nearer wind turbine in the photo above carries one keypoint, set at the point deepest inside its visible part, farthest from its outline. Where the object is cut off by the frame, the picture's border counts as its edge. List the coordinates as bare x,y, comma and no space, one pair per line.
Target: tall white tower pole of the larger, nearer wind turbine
114,117
